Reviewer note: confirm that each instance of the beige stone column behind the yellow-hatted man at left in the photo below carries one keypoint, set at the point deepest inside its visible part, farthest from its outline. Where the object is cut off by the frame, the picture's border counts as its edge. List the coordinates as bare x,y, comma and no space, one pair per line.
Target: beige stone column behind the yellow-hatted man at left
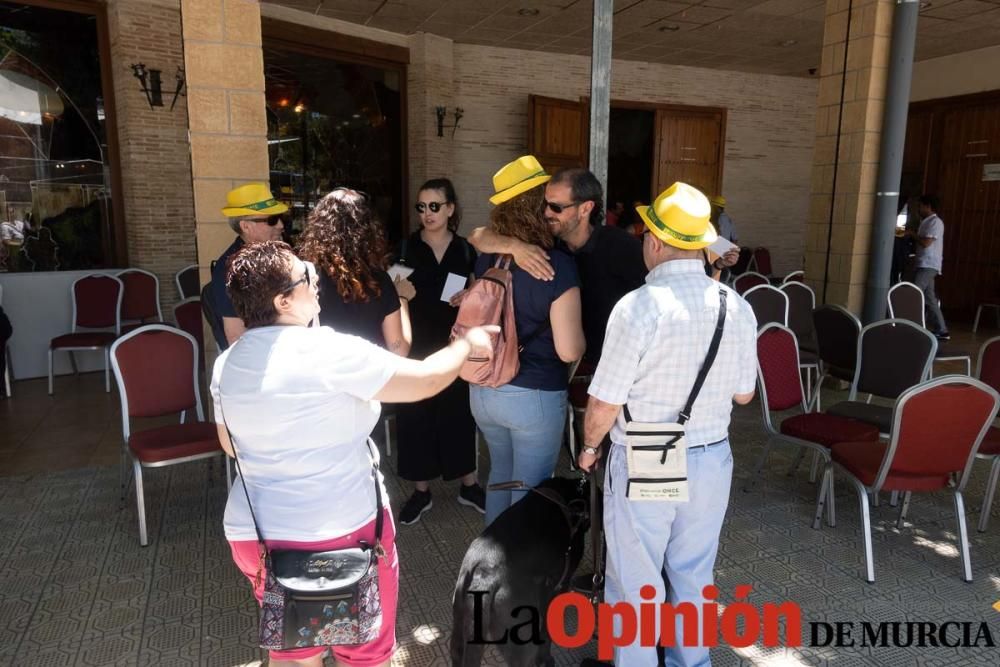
228,127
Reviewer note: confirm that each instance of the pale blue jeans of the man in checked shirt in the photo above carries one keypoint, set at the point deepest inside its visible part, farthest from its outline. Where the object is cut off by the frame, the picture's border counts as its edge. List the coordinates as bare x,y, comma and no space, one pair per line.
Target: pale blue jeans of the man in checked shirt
647,539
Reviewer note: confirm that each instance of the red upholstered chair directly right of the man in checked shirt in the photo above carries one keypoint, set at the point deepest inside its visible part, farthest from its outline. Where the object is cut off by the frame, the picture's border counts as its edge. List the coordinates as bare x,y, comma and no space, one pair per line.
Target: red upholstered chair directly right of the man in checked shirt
780,386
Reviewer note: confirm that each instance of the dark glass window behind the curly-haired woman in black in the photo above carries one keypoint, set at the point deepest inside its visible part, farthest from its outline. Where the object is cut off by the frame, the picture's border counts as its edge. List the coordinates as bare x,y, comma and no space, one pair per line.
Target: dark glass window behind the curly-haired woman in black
333,123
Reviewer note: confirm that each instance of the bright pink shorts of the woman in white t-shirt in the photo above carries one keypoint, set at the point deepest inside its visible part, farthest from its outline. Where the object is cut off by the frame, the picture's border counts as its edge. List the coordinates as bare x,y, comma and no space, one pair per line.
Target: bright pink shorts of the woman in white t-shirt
246,554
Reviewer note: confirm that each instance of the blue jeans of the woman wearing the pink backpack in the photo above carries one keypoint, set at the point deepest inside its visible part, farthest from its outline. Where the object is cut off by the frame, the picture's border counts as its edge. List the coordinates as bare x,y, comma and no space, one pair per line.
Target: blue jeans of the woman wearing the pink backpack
523,429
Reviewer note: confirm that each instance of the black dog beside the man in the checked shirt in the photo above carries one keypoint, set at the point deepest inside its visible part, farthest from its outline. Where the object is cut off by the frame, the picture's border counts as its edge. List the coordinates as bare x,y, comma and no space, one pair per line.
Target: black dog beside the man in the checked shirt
518,560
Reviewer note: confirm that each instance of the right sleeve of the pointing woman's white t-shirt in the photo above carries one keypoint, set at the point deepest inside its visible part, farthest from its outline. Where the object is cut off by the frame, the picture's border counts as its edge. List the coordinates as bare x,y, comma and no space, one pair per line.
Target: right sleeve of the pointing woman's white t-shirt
354,366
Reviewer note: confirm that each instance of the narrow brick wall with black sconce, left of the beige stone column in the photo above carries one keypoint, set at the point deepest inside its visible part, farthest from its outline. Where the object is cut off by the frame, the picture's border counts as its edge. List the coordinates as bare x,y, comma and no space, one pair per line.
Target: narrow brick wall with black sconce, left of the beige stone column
154,153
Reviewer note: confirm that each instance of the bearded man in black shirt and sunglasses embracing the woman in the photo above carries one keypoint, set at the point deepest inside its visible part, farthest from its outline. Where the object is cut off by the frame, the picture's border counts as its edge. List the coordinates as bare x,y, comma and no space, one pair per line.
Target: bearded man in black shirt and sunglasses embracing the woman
608,259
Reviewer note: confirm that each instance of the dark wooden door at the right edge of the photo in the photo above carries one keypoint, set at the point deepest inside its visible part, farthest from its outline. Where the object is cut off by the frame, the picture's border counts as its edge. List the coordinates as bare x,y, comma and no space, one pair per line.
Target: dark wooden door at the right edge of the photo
970,205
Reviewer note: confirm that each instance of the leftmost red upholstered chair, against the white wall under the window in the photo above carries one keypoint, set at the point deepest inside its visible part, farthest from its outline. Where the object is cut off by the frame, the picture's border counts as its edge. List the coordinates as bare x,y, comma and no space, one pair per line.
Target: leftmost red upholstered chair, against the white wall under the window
97,302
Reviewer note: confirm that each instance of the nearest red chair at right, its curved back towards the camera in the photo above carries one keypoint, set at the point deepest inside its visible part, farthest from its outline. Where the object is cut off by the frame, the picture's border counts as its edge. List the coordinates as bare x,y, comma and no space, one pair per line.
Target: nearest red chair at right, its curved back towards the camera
937,428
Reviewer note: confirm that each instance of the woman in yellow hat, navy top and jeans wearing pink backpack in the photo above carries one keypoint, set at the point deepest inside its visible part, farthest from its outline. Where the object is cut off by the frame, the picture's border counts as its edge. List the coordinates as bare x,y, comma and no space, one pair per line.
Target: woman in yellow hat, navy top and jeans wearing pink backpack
523,420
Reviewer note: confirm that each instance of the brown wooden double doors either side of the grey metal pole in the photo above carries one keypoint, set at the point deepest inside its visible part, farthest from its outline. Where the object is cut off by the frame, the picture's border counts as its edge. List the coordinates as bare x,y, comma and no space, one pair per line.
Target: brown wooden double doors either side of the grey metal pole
688,142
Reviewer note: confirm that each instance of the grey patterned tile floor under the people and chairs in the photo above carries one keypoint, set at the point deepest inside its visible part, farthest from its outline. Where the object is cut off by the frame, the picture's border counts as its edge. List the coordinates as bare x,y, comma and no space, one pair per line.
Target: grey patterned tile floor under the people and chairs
76,588
